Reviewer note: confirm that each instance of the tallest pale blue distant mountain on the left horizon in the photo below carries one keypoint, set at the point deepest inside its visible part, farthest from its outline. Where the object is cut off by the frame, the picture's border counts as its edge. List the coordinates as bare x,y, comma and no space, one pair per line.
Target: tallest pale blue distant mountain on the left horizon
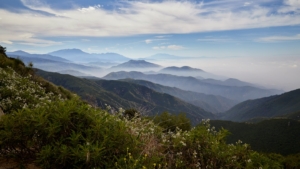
78,55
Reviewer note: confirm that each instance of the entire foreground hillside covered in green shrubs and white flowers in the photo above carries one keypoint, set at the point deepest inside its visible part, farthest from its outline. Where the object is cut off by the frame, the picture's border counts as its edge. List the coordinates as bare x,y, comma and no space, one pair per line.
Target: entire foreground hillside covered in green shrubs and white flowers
48,127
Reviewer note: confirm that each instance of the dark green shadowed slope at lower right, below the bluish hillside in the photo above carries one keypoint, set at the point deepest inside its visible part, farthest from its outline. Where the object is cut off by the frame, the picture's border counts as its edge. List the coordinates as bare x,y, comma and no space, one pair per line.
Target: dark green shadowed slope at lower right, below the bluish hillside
272,136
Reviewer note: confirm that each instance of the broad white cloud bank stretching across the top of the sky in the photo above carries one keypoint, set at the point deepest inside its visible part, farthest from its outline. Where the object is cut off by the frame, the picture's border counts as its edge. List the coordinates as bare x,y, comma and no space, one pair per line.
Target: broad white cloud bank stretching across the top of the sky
140,18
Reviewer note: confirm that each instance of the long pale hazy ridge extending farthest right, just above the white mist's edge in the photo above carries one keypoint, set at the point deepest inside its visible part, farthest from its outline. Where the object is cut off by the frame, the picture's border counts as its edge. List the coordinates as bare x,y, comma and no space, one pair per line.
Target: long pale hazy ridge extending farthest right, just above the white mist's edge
238,94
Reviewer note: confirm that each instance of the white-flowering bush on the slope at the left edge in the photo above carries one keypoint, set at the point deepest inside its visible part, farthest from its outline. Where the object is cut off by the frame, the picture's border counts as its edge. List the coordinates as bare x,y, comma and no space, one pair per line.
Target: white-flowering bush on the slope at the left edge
18,92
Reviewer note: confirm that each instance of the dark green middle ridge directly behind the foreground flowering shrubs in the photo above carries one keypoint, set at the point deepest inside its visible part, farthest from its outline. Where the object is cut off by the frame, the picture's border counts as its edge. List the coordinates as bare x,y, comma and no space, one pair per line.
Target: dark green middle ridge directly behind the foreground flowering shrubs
126,95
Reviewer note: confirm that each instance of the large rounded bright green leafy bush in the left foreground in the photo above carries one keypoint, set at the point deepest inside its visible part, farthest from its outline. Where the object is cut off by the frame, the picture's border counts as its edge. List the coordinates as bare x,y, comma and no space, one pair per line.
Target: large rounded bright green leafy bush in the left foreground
66,134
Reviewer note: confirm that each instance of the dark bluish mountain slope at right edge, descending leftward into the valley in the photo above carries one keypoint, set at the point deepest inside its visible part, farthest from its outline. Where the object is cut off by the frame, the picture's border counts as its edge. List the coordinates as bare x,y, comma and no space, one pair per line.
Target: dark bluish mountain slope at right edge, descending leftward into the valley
266,107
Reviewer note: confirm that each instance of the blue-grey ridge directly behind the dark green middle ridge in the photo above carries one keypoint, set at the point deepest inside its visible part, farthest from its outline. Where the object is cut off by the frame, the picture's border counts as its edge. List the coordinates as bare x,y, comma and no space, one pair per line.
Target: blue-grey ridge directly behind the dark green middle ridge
211,103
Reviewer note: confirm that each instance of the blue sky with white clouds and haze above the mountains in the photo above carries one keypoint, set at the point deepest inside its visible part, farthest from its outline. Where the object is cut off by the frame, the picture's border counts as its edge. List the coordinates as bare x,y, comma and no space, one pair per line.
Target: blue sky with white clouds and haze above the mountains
256,40
